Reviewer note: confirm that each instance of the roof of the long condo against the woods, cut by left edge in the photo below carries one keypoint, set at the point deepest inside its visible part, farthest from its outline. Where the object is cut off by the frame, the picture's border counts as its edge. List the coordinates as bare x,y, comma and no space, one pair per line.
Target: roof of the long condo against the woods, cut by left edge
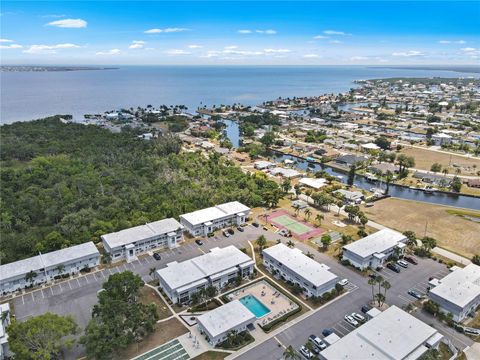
47,260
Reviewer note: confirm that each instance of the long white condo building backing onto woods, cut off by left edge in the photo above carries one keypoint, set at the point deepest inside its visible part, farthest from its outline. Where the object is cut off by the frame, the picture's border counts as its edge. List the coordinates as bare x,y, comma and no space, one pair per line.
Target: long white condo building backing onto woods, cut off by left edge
46,267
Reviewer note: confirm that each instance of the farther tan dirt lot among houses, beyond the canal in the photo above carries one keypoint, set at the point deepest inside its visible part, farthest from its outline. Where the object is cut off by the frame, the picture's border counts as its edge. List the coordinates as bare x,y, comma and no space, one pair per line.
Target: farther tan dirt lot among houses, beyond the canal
425,158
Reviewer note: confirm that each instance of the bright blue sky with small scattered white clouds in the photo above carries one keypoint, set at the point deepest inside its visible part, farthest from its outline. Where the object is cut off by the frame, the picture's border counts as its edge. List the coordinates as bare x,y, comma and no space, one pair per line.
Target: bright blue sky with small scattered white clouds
240,33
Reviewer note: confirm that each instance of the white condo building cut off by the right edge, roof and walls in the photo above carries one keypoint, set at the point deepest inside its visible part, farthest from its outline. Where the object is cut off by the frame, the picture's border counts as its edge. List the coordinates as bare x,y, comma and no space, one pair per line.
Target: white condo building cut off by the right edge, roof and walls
457,293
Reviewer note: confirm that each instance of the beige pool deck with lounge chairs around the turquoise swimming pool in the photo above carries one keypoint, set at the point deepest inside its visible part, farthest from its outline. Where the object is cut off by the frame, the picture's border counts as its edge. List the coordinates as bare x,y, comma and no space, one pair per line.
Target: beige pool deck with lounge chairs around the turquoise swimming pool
275,301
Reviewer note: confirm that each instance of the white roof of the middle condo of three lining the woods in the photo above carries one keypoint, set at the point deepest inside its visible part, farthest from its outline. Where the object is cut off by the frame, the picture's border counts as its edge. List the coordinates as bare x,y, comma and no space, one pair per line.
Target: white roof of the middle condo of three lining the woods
142,232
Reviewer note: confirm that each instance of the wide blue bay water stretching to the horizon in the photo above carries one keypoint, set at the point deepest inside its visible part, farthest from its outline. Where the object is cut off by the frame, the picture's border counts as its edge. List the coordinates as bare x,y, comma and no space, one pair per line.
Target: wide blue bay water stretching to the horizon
31,95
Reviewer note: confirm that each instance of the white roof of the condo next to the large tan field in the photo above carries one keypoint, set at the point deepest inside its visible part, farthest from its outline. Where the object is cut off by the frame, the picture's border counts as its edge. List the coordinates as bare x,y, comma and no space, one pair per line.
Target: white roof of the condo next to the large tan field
378,242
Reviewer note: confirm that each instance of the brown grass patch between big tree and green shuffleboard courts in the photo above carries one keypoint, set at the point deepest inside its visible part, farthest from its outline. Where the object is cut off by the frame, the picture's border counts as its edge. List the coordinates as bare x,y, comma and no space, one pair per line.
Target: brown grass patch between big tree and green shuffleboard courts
164,332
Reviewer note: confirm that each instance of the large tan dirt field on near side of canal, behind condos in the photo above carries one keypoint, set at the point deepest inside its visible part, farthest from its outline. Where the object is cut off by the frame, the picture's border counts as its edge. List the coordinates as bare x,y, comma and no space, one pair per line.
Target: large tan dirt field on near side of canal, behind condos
452,232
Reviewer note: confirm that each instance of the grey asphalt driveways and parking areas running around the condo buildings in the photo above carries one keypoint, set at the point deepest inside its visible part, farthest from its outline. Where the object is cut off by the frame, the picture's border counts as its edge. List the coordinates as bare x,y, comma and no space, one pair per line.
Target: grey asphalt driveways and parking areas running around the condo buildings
77,296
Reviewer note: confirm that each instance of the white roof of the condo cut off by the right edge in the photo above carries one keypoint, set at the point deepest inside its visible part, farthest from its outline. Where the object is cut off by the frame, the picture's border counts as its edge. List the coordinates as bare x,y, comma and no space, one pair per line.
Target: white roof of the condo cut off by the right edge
461,286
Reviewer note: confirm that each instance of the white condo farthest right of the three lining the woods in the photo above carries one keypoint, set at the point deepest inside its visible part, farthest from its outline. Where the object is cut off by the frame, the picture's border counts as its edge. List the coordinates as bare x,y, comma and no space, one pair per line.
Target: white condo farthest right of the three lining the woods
205,221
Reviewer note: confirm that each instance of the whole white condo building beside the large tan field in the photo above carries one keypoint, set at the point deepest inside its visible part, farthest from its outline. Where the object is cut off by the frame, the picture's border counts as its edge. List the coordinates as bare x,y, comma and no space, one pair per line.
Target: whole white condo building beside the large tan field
373,250
